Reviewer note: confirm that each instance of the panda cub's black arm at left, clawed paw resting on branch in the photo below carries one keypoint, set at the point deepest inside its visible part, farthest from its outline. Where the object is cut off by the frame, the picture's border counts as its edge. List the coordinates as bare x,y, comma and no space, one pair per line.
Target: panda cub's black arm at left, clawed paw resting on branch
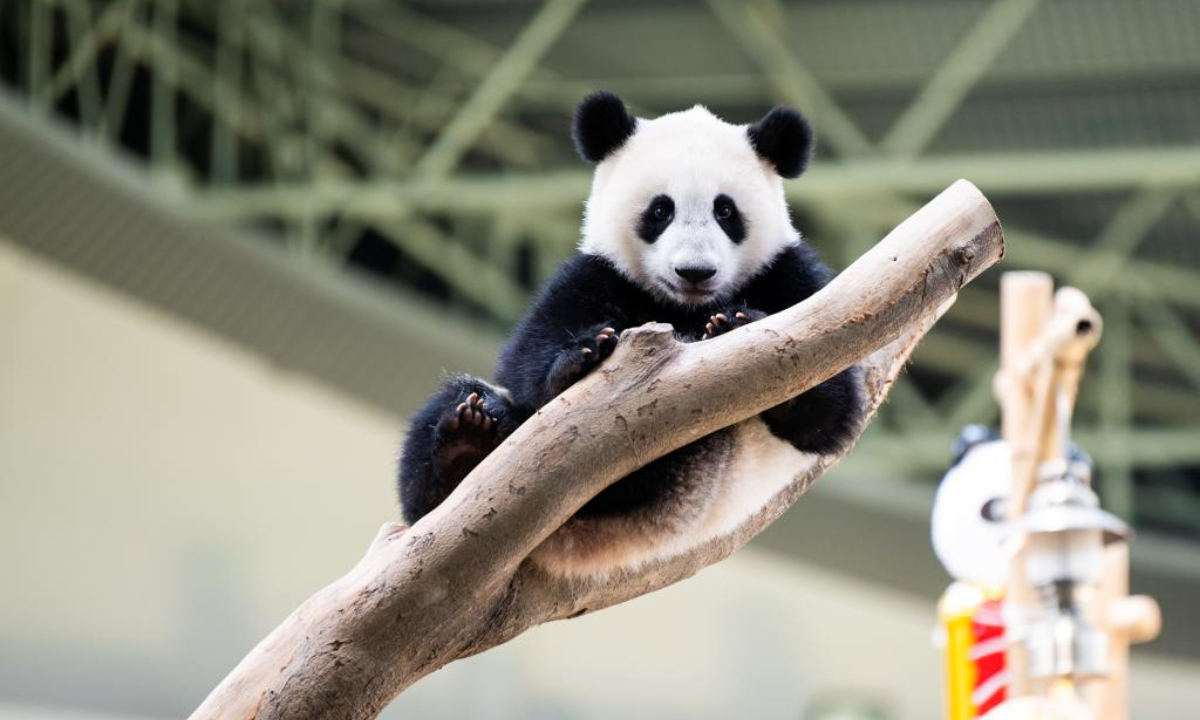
545,353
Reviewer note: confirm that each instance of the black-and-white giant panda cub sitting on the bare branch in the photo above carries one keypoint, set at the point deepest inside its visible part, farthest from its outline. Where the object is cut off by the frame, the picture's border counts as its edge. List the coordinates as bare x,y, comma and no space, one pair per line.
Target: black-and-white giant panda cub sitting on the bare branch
687,225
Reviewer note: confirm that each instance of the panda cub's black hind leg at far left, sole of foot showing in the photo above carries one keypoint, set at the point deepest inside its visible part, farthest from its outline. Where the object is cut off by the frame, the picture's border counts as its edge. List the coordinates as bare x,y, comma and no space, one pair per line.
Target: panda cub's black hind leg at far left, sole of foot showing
455,430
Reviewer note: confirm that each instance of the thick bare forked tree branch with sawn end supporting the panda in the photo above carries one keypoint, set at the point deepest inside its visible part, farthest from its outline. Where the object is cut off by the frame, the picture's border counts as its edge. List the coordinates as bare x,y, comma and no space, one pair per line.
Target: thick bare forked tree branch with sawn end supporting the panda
460,580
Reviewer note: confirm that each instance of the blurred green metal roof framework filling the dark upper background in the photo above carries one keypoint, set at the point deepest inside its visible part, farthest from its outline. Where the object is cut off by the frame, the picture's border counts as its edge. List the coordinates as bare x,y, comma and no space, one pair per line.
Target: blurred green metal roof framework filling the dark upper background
427,143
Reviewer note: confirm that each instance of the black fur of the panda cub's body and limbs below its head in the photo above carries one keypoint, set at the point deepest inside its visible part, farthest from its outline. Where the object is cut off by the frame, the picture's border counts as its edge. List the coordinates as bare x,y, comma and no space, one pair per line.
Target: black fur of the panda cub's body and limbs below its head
586,297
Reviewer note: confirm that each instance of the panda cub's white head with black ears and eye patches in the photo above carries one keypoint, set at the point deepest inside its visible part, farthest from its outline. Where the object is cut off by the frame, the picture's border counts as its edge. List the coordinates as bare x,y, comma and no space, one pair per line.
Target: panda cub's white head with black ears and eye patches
688,206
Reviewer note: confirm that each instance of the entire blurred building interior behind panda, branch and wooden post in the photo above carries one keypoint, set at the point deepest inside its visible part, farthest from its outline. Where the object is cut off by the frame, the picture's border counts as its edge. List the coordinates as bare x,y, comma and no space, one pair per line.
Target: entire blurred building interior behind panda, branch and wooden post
241,241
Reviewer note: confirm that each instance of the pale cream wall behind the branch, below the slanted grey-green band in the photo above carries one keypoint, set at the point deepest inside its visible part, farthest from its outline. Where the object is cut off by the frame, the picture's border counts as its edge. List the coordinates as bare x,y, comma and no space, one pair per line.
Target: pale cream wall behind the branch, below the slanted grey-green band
166,500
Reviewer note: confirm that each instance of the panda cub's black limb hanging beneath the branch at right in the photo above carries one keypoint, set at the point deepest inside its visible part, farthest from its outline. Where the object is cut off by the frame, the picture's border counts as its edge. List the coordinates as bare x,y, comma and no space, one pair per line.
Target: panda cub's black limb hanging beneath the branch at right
823,421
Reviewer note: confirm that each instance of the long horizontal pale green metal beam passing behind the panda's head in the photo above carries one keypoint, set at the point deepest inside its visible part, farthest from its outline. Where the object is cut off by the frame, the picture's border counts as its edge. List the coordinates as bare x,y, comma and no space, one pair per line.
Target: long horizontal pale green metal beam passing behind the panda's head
851,182
